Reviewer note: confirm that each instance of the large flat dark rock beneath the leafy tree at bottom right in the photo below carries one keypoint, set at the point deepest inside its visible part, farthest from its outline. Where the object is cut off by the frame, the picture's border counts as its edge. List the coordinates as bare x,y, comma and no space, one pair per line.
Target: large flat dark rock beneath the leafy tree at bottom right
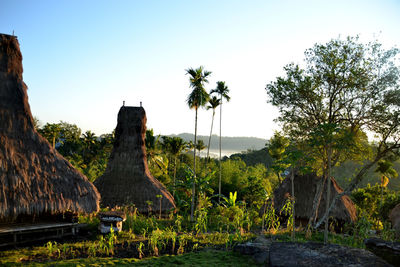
318,254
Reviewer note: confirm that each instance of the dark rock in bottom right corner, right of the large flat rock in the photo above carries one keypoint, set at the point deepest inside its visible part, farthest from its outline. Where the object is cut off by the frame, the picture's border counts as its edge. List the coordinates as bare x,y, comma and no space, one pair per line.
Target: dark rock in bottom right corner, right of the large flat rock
389,251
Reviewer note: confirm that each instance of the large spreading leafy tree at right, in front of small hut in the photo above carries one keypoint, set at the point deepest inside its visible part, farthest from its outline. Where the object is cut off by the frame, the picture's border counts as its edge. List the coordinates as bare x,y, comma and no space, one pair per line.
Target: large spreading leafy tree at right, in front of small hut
345,88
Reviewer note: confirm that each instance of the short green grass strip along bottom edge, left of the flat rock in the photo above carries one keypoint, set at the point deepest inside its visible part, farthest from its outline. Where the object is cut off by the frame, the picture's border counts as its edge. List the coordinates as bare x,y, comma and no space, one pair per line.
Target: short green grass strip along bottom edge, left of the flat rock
206,257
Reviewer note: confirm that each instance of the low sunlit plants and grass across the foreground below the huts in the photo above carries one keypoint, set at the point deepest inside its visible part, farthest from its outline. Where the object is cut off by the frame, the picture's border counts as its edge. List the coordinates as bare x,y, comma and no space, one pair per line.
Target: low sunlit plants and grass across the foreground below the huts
215,231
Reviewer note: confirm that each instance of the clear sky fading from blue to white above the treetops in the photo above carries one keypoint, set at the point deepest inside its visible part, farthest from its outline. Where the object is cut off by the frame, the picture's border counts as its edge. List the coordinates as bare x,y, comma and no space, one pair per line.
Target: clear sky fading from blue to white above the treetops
83,58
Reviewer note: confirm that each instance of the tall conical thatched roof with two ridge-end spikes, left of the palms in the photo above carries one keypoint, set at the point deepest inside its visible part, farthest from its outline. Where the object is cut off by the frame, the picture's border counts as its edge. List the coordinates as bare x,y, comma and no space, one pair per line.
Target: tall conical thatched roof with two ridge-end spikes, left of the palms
127,179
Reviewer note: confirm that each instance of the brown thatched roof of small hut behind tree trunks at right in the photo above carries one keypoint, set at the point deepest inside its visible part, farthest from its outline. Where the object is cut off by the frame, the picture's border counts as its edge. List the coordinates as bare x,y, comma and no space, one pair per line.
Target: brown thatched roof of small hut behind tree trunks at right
305,187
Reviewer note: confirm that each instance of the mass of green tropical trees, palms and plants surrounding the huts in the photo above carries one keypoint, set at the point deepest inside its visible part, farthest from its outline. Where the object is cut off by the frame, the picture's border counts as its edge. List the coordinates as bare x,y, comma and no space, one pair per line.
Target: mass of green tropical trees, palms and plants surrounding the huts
345,92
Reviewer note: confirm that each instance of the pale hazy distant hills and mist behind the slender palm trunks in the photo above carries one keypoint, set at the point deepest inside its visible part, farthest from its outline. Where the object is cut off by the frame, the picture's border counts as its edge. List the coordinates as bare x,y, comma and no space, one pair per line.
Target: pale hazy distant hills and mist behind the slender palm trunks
230,145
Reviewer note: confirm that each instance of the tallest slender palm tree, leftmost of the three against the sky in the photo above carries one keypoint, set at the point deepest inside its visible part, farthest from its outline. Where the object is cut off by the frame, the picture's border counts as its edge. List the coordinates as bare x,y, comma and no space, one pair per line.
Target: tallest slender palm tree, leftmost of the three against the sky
197,98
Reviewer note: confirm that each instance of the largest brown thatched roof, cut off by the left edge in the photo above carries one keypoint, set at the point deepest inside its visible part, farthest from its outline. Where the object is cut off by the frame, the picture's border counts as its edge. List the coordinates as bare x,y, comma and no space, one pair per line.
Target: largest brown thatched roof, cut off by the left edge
34,178
